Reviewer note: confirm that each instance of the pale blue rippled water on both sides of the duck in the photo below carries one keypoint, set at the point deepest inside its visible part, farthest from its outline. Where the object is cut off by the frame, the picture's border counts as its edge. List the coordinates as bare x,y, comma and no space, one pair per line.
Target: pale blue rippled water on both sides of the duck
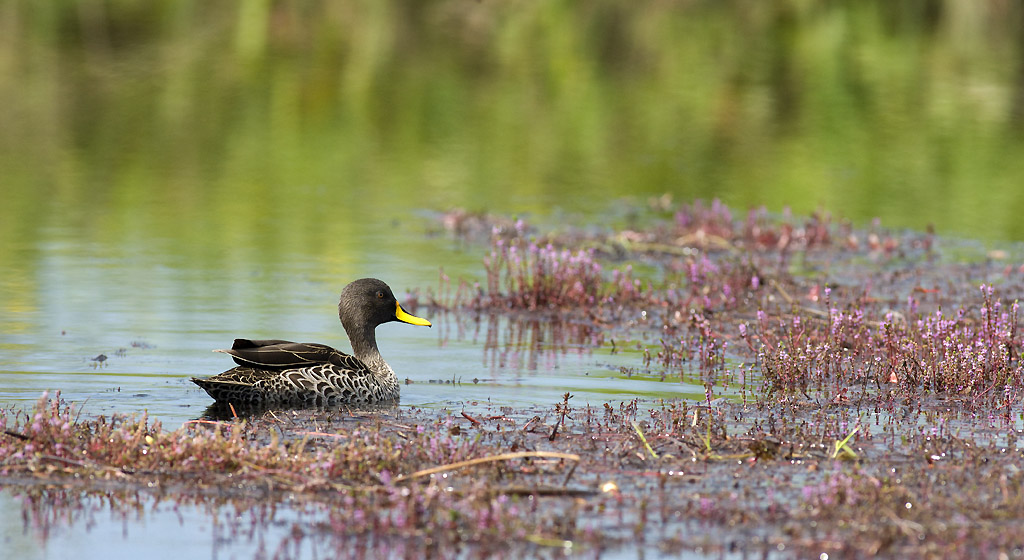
153,323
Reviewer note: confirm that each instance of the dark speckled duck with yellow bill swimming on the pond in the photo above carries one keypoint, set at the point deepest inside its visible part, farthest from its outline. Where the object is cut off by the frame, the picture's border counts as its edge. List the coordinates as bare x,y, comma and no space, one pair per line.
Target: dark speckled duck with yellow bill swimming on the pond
280,373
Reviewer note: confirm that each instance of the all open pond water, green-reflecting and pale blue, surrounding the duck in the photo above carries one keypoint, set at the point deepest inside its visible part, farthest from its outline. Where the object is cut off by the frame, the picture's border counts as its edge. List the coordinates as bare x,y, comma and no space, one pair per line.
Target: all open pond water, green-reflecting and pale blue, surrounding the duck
174,181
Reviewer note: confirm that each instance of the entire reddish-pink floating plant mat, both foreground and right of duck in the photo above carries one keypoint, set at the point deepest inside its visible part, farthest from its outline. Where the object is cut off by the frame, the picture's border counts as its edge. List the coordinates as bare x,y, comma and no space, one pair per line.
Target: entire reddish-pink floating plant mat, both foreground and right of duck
860,395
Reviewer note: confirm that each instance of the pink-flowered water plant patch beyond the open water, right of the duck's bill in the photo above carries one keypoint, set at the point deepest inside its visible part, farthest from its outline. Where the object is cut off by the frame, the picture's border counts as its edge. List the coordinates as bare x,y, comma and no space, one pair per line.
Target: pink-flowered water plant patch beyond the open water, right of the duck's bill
790,303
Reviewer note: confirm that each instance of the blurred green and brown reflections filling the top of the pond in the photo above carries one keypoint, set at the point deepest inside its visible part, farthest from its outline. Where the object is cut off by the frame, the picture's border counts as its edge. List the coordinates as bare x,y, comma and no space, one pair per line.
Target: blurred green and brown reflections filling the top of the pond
260,130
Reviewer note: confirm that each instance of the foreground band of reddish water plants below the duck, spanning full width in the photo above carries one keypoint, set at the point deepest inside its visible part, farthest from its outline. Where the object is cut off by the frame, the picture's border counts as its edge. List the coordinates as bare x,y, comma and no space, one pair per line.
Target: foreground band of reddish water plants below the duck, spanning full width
507,483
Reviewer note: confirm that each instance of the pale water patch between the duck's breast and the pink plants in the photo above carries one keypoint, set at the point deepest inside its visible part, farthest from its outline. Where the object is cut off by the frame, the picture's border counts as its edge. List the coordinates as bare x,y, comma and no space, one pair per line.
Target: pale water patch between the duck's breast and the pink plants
529,360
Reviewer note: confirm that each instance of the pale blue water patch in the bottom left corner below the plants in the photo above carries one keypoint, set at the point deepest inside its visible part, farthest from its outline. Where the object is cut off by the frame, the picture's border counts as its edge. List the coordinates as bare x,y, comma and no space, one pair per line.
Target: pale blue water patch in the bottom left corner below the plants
64,523
